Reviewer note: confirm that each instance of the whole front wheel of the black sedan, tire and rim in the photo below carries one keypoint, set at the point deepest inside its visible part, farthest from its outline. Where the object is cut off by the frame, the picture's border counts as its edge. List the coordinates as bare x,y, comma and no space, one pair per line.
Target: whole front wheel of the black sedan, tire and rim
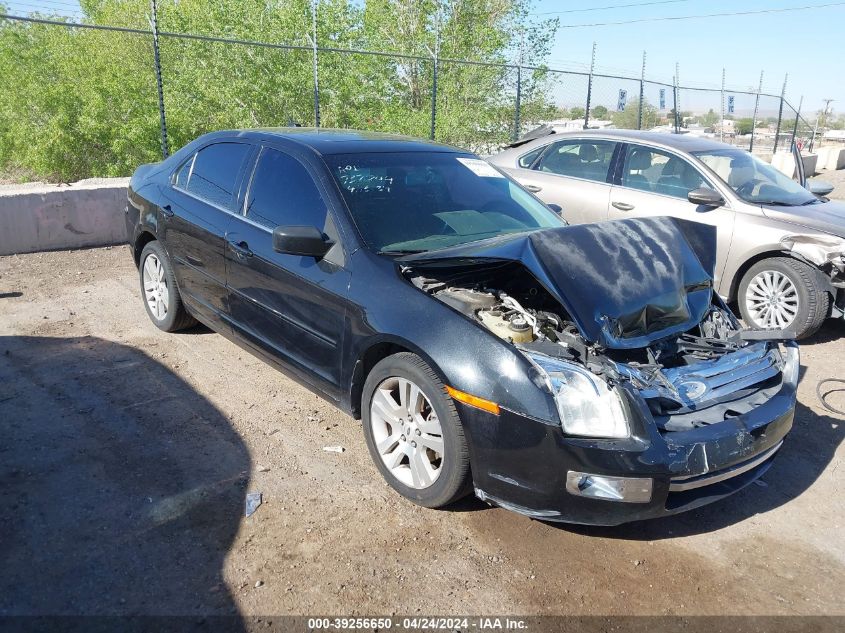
413,432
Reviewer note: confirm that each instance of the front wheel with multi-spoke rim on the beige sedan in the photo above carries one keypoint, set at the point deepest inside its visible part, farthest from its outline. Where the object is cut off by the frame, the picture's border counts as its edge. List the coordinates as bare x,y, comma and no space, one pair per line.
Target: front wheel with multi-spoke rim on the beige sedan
783,293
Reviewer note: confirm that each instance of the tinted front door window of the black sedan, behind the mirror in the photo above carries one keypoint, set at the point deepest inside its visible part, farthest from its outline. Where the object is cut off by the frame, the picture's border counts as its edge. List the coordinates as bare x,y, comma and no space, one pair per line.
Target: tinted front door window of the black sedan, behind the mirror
283,192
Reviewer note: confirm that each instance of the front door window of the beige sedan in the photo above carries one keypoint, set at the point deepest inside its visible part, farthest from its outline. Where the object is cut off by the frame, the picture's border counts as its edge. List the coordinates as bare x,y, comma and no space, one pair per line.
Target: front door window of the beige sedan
656,171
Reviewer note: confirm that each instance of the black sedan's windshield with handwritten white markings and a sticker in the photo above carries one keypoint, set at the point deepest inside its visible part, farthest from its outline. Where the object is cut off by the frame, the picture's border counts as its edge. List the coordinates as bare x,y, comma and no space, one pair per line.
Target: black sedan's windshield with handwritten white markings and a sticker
420,201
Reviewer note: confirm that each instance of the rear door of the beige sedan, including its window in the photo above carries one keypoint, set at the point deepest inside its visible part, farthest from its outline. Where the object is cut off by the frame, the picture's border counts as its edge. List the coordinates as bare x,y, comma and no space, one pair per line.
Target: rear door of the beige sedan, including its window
574,174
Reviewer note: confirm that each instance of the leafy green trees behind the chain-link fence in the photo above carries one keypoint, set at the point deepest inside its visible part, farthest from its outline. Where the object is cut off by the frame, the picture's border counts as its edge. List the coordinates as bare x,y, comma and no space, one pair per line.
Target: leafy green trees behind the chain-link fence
72,107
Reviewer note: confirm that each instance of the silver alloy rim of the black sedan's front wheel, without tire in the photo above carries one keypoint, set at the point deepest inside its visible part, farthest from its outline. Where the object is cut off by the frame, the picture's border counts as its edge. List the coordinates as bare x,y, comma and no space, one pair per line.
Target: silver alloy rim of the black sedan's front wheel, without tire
407,432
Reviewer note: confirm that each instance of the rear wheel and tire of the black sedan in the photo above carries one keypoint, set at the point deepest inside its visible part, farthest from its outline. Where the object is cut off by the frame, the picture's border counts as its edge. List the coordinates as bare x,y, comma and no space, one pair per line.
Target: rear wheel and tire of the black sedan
160,292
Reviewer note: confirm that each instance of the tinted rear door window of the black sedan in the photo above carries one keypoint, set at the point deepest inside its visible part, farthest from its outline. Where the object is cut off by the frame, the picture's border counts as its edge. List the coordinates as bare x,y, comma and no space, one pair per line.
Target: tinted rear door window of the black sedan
215,173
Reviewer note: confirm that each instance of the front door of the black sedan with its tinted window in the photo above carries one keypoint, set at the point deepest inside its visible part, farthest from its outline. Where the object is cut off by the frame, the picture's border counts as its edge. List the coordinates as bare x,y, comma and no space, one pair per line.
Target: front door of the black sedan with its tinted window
290,308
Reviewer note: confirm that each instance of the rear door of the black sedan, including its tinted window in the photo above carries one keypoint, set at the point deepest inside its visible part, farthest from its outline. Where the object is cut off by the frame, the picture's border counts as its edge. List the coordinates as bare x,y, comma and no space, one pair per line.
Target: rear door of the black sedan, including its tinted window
199,205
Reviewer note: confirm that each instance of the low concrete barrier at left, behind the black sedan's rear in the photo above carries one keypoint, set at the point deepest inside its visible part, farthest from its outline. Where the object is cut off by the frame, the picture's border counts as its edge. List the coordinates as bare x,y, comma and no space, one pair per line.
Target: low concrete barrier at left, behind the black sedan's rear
40,217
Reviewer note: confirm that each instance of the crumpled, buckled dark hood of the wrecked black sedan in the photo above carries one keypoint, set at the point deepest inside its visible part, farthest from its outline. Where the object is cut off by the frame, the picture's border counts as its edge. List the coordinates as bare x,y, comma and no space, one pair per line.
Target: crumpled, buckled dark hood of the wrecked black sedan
625,283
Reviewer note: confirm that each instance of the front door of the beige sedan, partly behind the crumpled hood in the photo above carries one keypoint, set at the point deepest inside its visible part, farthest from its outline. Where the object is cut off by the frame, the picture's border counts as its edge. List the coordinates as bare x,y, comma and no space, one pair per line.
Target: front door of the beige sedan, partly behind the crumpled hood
654,182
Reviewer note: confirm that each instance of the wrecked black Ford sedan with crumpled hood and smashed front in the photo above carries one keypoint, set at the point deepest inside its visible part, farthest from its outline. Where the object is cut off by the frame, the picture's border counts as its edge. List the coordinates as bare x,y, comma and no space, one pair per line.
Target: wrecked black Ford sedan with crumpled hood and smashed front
585,373
